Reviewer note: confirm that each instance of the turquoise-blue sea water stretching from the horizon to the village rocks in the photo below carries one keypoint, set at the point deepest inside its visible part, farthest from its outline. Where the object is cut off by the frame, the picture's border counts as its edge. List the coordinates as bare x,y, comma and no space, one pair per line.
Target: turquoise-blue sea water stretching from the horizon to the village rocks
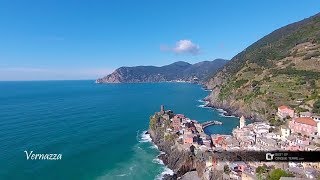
97,128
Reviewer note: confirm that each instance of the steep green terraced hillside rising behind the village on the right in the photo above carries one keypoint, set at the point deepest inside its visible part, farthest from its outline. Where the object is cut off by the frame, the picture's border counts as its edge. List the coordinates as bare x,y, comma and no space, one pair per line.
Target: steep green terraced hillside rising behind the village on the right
281,68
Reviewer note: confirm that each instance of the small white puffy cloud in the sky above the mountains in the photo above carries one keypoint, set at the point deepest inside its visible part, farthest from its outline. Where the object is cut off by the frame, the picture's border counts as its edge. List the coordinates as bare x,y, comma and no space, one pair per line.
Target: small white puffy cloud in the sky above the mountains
183,46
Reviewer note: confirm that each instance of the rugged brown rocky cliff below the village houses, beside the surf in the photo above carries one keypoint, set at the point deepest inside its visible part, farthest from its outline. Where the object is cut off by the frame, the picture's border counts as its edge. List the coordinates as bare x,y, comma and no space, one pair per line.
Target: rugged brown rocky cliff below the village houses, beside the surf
179,160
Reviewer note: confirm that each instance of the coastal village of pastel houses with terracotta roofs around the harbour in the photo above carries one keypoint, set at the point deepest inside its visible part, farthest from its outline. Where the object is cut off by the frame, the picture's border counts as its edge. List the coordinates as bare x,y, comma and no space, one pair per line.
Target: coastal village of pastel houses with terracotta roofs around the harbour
300,132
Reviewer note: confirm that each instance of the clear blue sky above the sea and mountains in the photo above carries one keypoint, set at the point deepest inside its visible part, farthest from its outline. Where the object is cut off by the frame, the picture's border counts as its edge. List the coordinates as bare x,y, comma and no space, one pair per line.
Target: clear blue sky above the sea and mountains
63,39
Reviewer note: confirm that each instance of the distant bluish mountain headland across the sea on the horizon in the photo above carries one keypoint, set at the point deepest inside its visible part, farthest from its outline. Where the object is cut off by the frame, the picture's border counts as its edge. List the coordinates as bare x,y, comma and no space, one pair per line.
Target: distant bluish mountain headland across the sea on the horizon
178,71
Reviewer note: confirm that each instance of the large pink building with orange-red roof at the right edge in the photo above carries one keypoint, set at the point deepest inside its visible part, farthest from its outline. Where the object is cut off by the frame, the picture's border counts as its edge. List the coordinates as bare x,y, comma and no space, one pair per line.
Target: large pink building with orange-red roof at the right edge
304,125
